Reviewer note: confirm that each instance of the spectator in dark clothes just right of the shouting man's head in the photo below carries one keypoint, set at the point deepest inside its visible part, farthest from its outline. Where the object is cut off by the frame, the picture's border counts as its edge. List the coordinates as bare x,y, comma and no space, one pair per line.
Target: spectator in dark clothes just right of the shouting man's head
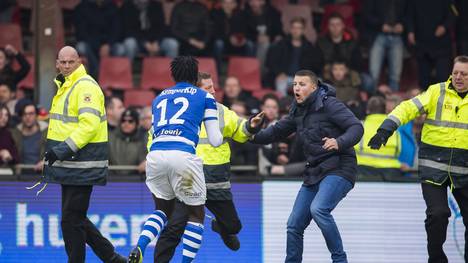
348,86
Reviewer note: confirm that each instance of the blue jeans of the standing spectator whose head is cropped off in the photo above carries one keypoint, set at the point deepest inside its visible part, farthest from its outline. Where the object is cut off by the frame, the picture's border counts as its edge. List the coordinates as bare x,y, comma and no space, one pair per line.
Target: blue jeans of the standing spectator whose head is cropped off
390,46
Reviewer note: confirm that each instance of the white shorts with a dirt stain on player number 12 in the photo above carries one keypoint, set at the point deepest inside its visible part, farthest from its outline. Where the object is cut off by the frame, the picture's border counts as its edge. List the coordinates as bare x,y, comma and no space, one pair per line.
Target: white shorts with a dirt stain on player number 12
176,174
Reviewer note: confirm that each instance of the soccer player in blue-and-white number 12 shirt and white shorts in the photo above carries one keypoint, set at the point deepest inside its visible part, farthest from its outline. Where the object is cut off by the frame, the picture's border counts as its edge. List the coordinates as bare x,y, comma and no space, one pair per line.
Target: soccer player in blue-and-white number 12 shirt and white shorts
173,170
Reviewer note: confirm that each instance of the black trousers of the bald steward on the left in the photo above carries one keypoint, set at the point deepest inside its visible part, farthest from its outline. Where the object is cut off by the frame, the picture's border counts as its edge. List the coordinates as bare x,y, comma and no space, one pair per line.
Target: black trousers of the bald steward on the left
78,230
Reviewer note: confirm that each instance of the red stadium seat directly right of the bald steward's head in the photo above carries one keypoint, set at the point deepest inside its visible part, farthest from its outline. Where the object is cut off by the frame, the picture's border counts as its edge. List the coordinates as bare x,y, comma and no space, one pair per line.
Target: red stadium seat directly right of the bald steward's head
115,73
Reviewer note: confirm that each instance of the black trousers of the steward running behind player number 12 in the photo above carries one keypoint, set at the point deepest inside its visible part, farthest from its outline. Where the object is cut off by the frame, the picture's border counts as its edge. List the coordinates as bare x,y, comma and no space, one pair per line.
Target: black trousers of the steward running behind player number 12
226,217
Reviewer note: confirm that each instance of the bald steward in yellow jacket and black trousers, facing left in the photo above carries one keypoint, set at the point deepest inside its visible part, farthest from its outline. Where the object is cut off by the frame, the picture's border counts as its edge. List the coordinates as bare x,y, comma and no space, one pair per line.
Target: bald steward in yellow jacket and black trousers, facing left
76,155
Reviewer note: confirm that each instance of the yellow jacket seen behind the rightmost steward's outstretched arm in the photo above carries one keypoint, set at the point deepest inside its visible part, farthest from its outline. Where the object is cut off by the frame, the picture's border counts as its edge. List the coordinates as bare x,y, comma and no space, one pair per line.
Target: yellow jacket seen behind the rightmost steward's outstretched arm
386,156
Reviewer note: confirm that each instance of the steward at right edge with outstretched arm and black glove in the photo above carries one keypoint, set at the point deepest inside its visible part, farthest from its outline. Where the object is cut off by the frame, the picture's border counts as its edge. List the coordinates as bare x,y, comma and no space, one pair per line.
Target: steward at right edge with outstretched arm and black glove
443,155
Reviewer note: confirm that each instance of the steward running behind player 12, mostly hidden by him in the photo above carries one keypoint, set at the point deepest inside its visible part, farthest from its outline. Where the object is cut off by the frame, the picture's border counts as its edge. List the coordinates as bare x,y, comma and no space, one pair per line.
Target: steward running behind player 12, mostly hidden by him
217,170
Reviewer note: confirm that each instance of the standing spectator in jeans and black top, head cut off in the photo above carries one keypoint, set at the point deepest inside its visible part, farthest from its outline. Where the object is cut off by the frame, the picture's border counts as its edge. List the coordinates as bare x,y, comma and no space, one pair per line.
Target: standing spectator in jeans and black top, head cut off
385,21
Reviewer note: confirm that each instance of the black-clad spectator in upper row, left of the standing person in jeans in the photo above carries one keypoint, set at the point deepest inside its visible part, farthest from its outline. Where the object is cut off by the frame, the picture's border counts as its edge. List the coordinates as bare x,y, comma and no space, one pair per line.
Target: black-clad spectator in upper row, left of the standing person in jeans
338,43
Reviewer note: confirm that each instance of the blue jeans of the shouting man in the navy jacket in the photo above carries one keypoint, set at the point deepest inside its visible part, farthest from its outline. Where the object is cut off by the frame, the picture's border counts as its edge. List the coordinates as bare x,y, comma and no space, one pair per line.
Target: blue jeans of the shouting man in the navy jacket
316,202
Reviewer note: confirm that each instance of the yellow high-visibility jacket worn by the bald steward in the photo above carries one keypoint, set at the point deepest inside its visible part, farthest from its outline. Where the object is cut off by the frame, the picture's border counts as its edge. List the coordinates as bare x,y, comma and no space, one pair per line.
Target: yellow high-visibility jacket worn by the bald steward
77,132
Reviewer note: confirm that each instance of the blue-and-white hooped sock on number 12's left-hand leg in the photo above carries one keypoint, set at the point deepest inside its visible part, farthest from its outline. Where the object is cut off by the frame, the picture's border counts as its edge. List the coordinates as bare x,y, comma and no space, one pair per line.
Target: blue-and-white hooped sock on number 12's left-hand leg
153,226
